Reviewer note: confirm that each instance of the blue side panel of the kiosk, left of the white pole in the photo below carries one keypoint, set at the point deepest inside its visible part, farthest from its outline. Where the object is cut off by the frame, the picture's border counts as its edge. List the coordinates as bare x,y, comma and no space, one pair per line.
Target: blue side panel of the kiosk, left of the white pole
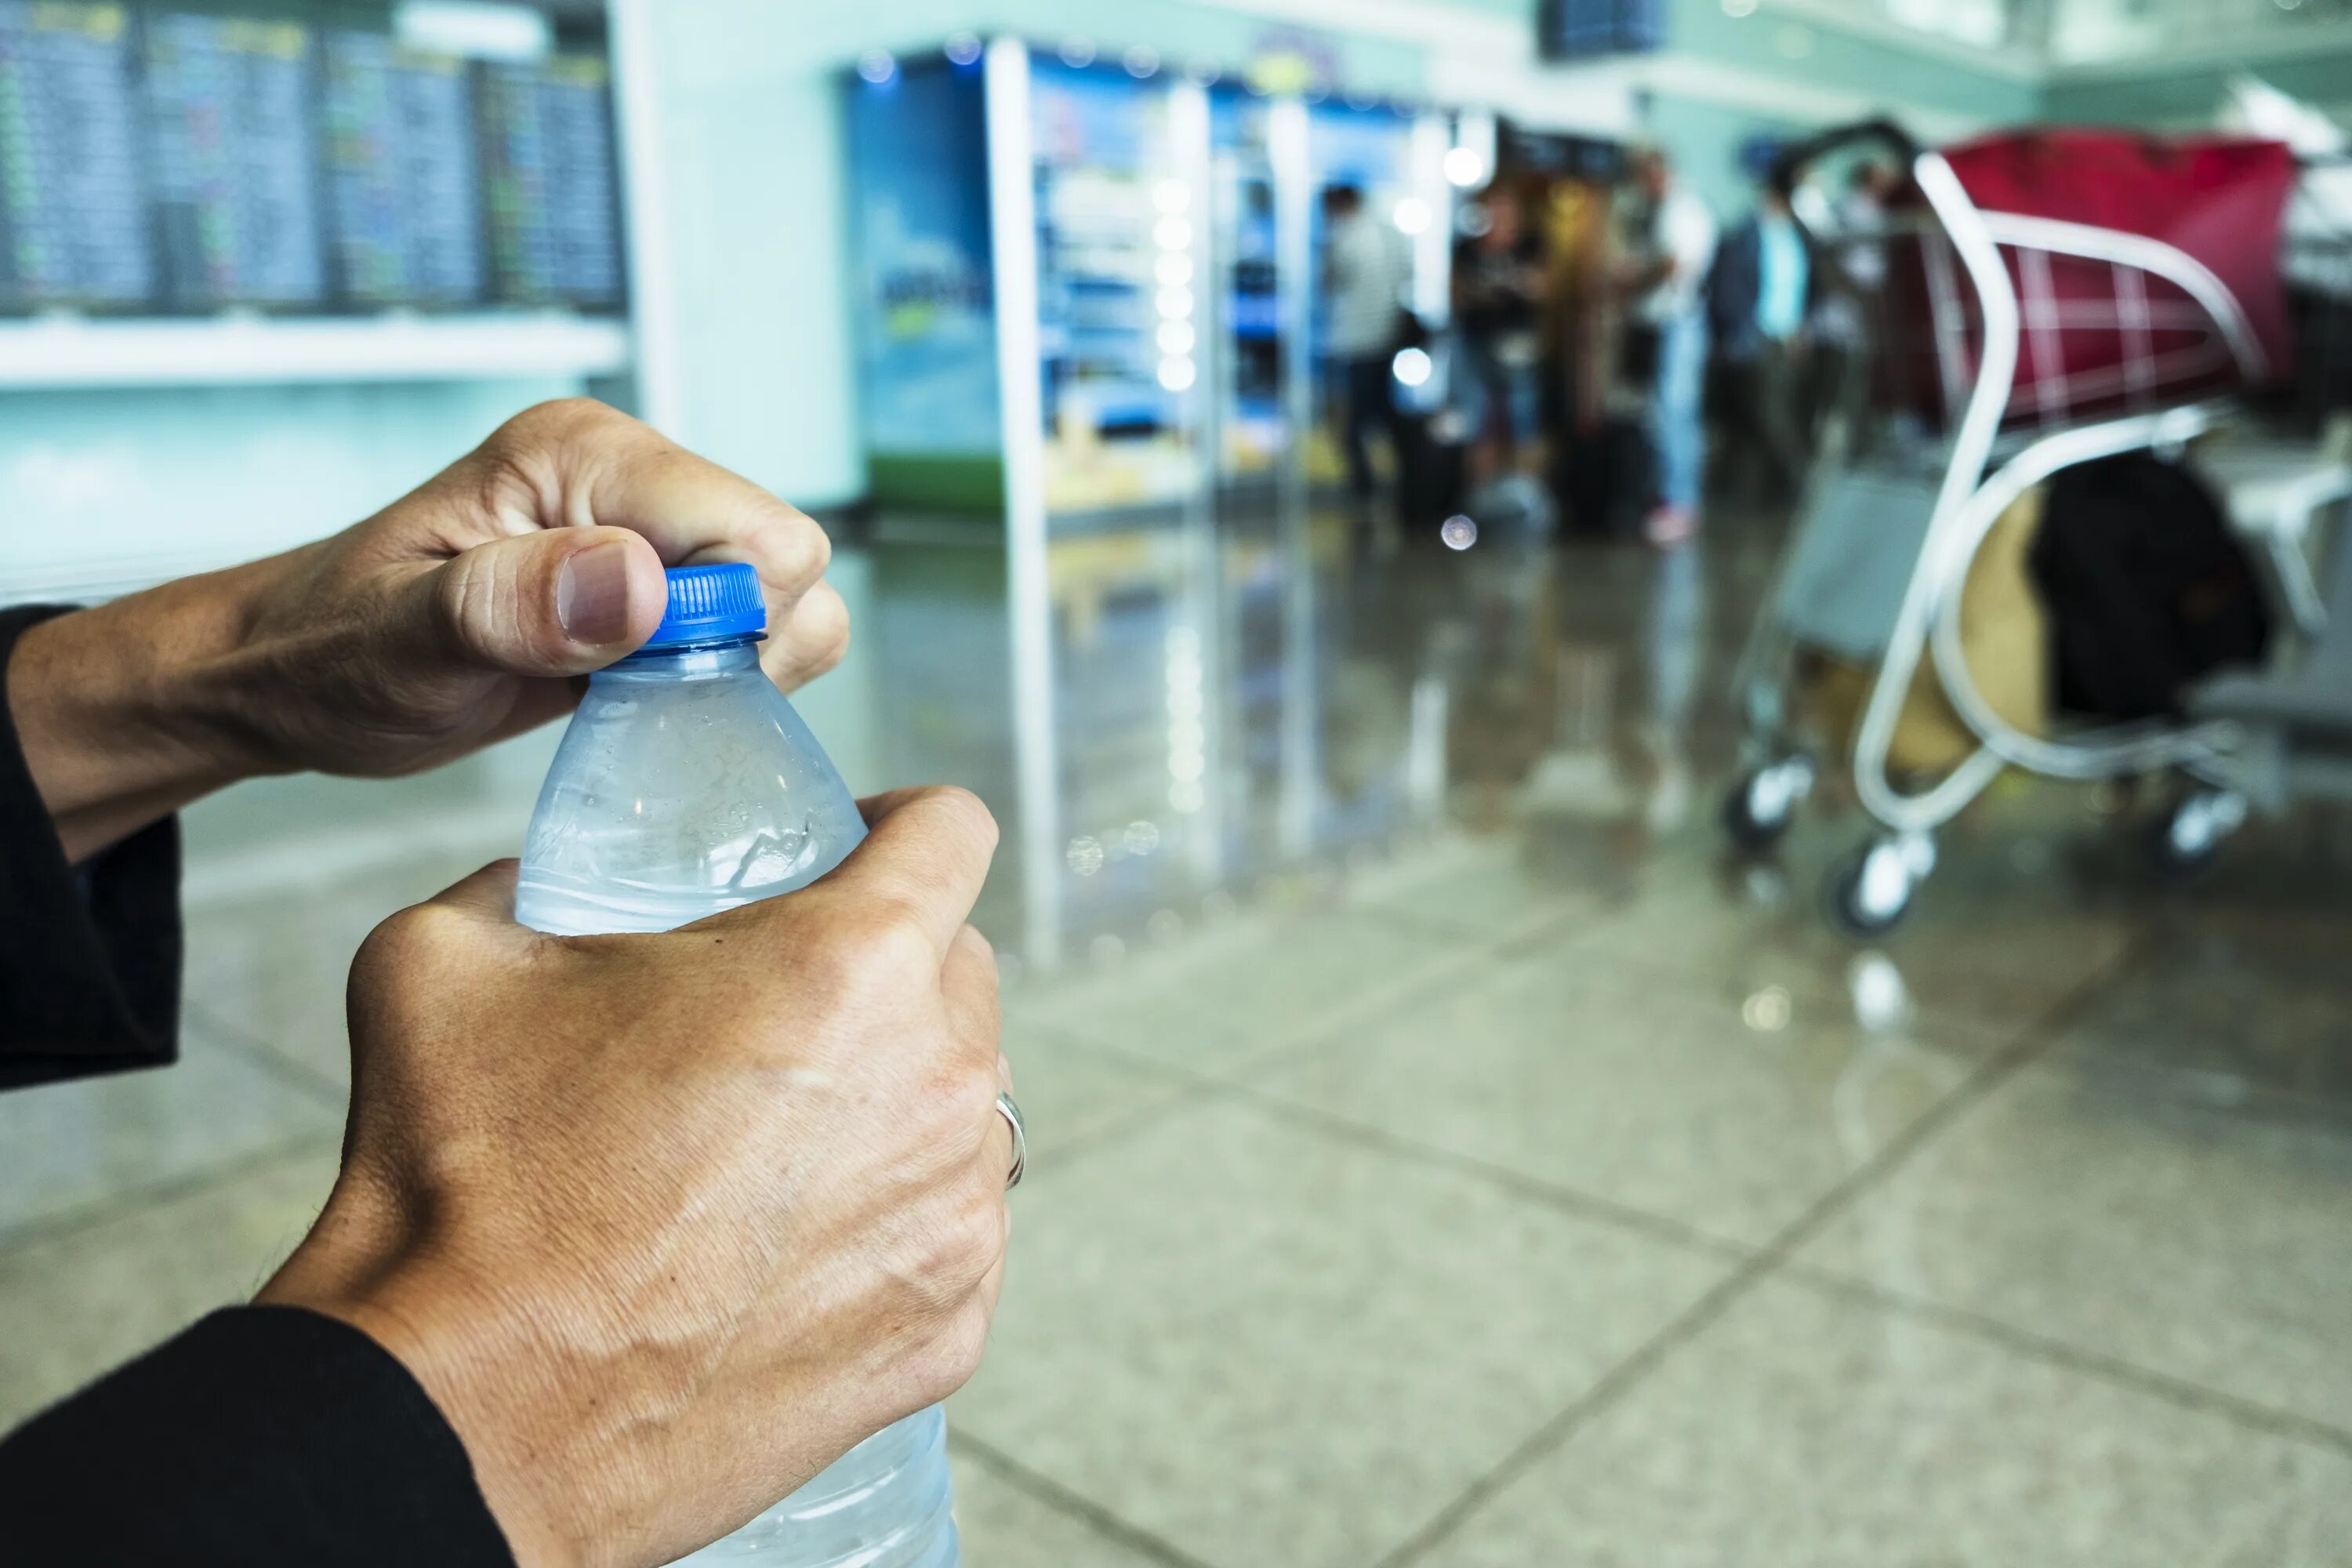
926,290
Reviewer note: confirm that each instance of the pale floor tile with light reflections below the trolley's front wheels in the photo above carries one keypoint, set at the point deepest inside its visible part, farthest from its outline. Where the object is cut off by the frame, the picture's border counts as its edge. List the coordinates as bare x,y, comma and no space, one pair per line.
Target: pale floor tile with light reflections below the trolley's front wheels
1645,1092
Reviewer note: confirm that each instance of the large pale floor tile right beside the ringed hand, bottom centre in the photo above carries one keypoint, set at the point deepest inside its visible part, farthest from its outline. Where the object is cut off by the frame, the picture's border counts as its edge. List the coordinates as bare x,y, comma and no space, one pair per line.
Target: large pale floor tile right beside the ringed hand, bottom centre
1276,1348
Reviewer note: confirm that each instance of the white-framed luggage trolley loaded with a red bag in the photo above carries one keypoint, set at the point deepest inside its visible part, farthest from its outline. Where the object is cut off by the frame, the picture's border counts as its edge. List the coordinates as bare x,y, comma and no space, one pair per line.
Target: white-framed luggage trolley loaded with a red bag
2050,300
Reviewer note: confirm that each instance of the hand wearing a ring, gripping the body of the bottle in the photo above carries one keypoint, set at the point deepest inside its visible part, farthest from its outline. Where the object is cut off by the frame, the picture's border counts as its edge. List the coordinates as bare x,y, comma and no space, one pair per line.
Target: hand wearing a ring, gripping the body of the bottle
669,1224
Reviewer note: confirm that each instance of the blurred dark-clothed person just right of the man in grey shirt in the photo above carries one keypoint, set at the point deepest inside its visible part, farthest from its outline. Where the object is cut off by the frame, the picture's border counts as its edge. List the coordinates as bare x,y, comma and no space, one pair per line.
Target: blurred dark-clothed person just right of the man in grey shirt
1497,297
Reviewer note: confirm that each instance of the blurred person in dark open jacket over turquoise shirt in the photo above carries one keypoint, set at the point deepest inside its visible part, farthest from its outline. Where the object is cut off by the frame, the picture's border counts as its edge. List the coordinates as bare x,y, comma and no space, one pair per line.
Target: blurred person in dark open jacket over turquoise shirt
1758,302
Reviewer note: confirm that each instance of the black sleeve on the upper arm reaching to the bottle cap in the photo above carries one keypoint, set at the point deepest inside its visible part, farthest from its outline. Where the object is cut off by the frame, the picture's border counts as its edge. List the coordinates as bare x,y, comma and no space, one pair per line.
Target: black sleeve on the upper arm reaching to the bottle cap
88,956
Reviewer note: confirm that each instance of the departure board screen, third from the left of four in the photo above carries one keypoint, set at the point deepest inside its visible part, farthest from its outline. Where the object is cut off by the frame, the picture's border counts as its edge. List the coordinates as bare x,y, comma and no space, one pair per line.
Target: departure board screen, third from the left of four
401,175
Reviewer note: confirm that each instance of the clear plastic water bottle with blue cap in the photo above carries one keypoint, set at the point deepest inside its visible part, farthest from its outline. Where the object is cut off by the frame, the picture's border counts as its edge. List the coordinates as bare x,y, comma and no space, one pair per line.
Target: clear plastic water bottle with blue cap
688,786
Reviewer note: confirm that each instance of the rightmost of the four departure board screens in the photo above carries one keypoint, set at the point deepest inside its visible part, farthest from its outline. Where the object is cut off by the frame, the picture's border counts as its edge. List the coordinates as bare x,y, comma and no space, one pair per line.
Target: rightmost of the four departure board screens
554,194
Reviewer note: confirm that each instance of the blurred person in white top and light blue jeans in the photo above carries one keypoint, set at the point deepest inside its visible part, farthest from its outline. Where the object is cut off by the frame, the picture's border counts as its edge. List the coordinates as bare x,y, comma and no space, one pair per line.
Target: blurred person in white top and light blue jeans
1671,243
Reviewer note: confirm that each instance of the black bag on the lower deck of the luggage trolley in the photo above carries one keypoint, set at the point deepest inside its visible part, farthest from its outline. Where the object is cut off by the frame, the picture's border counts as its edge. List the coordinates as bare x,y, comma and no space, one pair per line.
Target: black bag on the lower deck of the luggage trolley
2146,589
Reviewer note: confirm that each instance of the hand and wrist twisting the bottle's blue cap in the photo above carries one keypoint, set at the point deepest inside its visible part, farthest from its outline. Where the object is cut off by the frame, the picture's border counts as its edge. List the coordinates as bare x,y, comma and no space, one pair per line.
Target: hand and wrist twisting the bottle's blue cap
446,622
